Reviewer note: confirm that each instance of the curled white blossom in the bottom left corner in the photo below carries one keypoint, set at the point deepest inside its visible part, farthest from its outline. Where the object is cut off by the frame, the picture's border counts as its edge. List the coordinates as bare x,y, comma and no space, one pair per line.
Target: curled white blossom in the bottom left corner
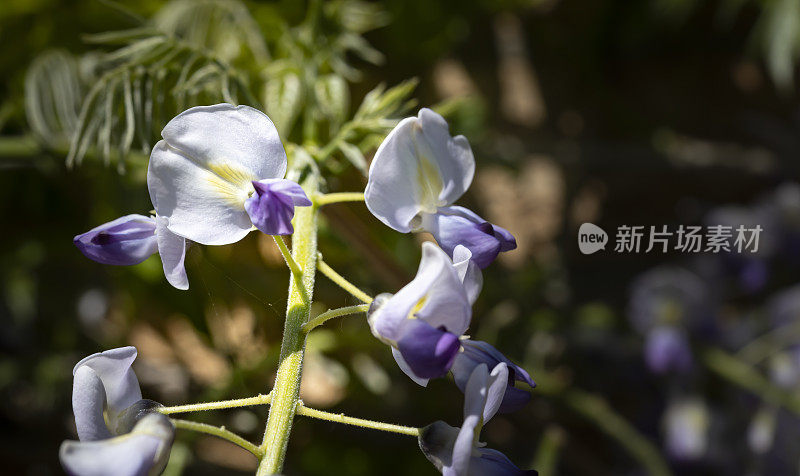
119,433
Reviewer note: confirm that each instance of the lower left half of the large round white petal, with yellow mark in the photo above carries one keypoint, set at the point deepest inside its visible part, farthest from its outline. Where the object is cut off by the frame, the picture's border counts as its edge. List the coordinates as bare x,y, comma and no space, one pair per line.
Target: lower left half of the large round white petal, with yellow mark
203,201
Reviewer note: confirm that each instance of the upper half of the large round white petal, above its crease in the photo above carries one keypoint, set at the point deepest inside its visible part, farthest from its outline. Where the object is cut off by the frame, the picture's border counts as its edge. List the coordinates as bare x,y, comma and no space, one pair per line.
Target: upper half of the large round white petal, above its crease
223,132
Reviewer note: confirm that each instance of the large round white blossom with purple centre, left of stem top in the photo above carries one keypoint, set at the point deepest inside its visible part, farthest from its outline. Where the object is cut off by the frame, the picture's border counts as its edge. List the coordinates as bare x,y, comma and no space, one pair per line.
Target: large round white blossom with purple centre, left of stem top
219,172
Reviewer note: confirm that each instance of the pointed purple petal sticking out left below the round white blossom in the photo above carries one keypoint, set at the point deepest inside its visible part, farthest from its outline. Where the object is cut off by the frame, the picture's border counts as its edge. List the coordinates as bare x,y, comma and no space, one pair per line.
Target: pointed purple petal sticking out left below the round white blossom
125,241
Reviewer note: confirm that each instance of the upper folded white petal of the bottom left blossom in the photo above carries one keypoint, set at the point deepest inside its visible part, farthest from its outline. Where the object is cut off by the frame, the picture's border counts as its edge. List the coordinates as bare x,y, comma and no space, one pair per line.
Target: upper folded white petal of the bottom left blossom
113,368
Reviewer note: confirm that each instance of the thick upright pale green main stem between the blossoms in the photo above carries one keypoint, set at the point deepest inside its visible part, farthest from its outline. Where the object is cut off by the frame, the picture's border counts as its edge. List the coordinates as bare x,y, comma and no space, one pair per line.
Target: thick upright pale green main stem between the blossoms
287,382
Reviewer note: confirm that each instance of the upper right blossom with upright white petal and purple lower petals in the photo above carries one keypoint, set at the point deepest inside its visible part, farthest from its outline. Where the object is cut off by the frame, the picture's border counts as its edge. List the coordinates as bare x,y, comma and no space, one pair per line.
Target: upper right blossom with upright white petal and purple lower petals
417,174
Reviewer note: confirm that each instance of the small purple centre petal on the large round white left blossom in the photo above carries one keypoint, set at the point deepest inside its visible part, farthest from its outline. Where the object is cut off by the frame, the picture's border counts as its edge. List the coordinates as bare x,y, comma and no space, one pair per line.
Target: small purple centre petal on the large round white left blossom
271,208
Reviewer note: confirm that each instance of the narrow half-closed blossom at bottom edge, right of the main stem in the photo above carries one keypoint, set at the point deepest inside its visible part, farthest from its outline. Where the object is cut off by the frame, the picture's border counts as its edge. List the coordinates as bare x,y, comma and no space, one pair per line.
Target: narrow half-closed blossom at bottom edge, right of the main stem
458,451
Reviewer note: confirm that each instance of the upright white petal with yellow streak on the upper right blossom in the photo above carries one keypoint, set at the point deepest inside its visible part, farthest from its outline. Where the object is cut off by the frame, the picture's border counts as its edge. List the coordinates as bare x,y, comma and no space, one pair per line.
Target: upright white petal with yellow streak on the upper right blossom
417,168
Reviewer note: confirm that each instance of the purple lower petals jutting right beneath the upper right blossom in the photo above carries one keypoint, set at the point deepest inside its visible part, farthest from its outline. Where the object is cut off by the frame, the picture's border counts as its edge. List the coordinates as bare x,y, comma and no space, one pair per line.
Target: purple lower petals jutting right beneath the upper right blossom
453,226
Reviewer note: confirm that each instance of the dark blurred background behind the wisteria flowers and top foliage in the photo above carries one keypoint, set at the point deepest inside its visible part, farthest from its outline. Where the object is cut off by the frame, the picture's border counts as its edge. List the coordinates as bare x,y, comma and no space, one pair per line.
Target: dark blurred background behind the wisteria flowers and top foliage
651,112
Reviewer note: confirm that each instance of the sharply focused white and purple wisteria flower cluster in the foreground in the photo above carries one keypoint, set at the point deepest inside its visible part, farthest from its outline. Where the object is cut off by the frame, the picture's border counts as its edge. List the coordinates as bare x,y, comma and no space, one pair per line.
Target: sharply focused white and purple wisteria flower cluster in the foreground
217,175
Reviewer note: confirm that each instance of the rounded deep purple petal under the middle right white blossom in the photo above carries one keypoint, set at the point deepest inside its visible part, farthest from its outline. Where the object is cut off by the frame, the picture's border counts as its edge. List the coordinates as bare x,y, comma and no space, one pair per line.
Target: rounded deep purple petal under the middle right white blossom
428,351
